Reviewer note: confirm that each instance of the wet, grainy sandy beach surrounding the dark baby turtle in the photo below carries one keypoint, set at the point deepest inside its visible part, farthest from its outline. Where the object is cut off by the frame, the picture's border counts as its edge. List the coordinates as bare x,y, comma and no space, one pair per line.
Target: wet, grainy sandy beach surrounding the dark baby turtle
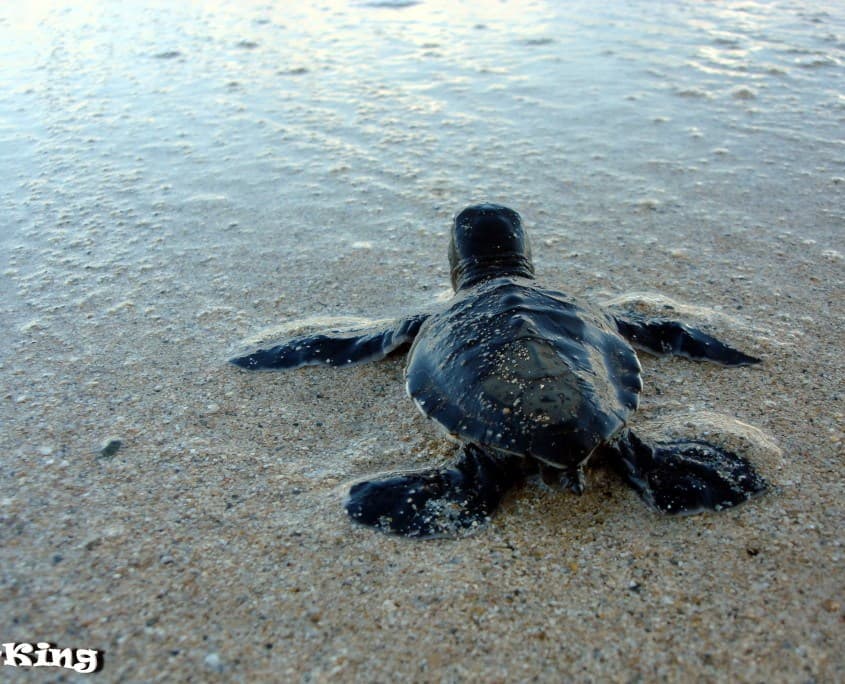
178,180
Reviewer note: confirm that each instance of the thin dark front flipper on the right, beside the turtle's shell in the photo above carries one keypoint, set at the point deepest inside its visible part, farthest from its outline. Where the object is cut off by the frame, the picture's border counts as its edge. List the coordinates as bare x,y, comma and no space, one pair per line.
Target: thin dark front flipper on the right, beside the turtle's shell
662,336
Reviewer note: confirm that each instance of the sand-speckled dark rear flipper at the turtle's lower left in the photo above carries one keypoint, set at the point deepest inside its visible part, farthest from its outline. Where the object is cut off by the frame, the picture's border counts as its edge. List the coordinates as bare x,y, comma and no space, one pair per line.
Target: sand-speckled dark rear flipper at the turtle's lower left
443,502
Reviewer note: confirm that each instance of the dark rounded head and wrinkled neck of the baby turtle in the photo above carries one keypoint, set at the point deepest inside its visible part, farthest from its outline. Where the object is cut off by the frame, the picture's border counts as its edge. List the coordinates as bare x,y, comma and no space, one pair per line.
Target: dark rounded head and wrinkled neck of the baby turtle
488,241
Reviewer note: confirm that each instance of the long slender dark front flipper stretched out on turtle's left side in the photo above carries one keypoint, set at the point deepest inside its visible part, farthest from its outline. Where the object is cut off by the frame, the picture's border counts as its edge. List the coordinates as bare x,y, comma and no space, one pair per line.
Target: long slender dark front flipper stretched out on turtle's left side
334,347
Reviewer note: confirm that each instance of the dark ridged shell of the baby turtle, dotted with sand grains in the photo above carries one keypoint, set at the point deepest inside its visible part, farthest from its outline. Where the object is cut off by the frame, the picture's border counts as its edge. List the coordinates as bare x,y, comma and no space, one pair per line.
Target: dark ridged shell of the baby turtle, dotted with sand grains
524,370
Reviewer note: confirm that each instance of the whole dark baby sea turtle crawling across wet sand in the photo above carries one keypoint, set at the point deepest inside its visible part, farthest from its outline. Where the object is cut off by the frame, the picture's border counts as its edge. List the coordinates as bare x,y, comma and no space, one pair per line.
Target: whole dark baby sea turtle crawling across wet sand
523,376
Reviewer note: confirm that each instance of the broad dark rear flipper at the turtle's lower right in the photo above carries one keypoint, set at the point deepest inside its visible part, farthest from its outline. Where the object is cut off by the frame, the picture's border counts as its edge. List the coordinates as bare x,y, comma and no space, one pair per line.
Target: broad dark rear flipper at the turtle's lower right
685,477
